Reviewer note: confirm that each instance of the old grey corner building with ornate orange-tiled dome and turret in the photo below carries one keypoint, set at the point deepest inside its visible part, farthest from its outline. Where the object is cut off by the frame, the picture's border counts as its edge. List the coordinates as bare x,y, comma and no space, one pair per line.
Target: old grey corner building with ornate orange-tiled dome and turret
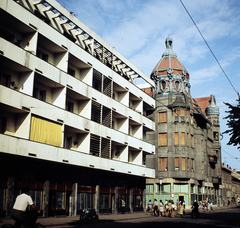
188,150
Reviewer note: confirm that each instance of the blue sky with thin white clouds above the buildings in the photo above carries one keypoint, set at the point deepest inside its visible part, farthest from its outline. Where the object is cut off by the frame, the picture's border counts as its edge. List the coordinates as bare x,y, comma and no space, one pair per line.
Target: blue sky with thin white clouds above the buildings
137,29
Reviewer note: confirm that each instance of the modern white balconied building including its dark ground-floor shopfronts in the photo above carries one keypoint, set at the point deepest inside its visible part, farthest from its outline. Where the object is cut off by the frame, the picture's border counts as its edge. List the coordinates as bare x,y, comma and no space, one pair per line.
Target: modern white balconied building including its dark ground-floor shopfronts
72,122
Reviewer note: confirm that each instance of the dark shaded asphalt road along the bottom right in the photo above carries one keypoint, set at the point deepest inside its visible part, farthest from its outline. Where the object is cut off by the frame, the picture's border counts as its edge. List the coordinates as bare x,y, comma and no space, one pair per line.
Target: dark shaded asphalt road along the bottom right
222,219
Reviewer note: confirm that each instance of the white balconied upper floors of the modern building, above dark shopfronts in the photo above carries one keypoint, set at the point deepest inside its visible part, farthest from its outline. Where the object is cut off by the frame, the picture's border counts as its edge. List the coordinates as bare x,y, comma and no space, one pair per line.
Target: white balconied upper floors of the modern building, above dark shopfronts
55,69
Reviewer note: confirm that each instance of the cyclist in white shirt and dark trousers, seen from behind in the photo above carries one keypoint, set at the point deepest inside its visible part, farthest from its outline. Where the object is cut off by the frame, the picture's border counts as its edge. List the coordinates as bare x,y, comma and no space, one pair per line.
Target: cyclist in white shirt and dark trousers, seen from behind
19,209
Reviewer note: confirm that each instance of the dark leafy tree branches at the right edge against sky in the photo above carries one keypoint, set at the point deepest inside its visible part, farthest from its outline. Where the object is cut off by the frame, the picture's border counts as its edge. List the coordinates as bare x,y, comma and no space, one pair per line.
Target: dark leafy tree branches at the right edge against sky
233,124
